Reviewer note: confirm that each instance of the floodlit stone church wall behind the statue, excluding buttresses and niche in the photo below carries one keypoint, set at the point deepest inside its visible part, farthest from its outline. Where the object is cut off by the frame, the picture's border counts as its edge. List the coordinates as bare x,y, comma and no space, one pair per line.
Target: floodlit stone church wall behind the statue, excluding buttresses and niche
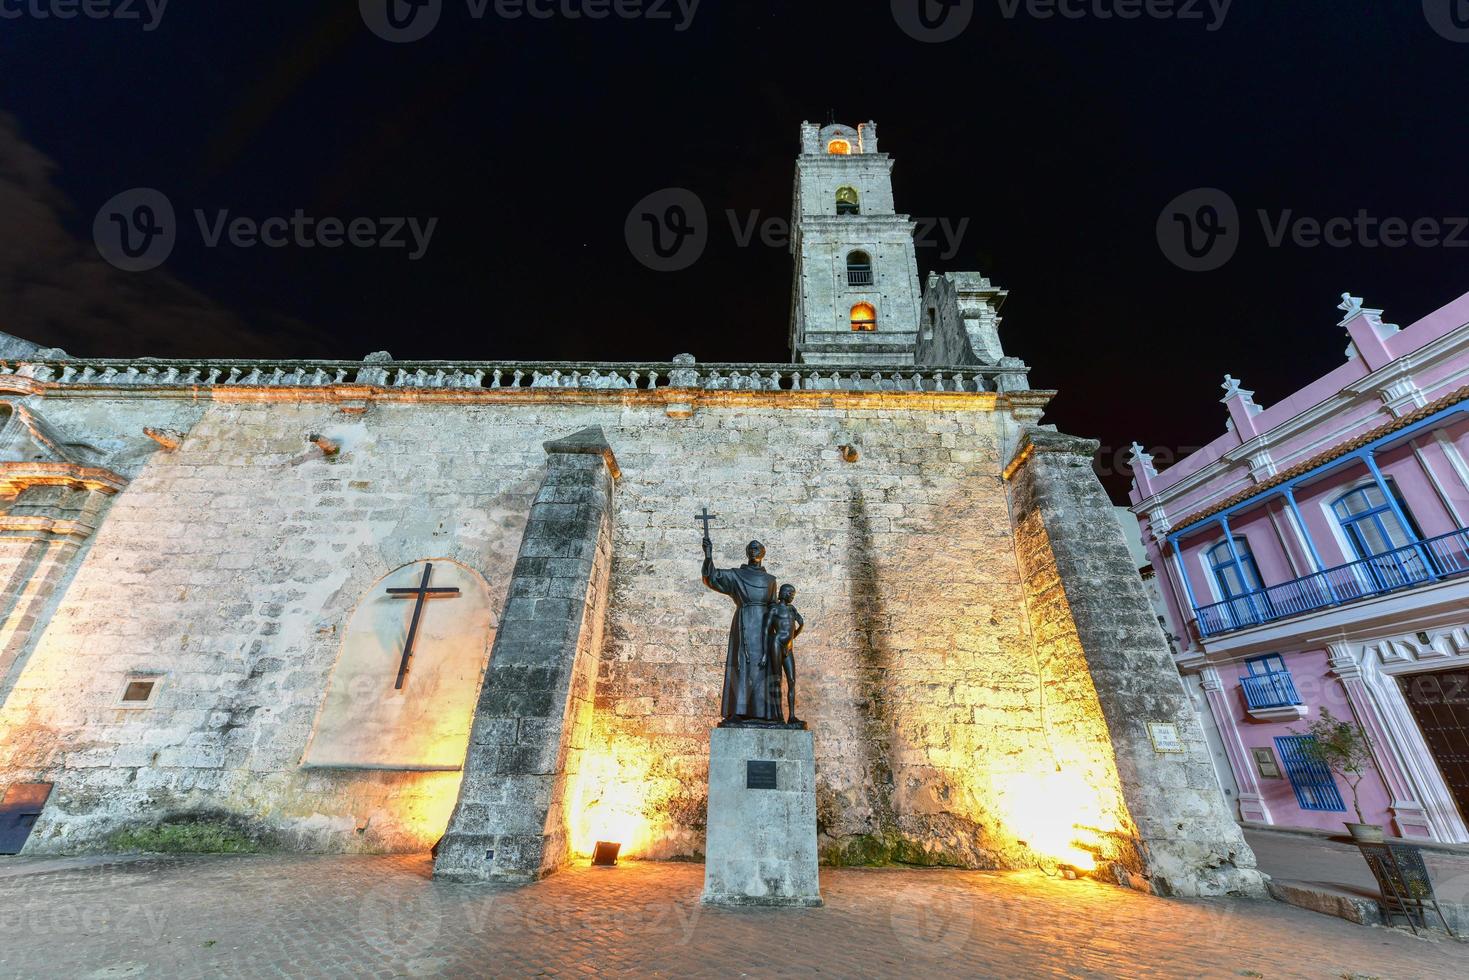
231,566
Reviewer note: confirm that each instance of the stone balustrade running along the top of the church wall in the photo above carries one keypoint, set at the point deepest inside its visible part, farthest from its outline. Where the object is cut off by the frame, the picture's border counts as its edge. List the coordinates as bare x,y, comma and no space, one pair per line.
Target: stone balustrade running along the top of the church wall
512,375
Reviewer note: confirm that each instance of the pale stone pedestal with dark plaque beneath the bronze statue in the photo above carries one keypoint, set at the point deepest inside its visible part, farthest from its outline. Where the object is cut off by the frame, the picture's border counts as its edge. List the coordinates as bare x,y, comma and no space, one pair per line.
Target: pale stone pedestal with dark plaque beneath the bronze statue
762,846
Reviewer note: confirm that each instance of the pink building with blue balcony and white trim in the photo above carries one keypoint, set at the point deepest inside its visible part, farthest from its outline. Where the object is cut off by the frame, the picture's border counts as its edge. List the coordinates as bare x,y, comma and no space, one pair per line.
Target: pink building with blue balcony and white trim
1317,555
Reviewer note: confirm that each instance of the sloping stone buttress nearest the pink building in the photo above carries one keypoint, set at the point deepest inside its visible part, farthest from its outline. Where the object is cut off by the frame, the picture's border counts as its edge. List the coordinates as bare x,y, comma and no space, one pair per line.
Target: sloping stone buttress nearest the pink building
1100,641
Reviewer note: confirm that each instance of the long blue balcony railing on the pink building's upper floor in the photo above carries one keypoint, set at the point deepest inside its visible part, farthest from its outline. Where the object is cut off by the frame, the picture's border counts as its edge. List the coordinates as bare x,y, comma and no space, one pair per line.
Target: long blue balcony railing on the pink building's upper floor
1418,563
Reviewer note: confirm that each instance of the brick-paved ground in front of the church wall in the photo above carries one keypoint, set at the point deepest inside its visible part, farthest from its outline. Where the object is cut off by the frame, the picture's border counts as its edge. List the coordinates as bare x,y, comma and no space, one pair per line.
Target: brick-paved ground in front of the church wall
384,918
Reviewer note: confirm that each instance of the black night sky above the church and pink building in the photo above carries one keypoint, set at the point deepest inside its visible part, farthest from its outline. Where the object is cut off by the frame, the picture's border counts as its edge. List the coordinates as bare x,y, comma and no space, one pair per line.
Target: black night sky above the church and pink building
1061,142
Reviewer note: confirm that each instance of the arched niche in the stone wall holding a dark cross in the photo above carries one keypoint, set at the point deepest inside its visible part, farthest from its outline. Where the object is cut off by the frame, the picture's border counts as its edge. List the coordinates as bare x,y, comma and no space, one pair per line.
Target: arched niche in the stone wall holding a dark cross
367,719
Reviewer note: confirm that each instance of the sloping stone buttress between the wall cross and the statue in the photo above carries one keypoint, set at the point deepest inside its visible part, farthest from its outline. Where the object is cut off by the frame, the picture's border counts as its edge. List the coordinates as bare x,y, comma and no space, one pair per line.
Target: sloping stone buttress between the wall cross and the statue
535,706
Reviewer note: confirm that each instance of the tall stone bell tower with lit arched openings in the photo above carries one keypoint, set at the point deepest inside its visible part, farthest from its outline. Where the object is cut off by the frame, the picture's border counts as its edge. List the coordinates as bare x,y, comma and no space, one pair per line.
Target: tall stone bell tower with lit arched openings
856,299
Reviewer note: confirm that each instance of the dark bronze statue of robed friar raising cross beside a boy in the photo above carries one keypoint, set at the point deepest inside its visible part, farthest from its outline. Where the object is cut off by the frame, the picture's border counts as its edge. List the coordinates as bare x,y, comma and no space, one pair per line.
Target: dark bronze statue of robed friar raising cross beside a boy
760,641
